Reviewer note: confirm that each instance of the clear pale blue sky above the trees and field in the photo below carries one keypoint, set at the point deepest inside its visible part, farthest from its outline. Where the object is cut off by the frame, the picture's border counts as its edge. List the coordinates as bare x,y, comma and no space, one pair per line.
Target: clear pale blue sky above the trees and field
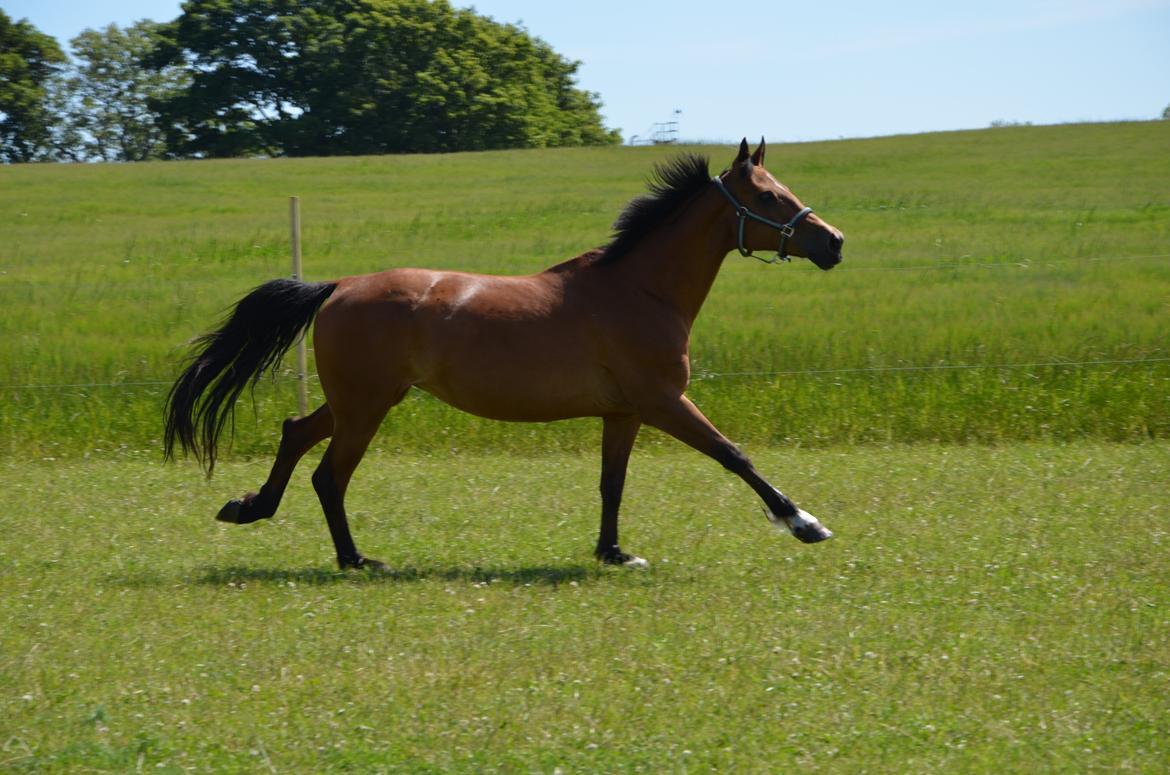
815,71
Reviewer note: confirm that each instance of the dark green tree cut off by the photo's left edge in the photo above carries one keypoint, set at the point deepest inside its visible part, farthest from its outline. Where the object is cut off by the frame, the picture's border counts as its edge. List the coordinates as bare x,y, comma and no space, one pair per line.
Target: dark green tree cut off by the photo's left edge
29,61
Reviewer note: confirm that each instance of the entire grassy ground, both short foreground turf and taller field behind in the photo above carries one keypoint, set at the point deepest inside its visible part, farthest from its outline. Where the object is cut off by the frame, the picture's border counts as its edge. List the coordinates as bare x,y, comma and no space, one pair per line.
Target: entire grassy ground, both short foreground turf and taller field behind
978,403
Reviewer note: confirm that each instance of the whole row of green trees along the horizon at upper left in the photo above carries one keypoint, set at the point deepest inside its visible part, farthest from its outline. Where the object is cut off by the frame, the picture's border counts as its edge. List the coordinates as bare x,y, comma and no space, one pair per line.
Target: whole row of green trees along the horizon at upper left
290,78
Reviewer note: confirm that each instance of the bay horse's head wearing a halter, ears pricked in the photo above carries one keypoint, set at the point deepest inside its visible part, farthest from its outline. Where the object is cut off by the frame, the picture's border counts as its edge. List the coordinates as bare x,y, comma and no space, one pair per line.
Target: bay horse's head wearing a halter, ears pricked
770,217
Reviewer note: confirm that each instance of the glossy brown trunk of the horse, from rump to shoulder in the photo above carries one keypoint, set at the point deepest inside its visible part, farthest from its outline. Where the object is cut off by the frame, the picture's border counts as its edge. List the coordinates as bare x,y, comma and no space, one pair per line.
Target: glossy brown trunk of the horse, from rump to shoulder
517,348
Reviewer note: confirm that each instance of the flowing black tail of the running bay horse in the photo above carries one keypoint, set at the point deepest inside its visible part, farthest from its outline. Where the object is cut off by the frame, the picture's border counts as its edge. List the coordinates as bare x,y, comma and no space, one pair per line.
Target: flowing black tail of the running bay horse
258,333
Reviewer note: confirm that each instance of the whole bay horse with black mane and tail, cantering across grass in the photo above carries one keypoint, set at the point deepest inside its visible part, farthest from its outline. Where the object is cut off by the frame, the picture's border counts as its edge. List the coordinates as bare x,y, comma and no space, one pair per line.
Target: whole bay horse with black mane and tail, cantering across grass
602,335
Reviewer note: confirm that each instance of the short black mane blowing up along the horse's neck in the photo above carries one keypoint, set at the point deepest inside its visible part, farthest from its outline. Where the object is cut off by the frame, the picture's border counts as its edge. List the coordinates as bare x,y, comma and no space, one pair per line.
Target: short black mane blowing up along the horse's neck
671,186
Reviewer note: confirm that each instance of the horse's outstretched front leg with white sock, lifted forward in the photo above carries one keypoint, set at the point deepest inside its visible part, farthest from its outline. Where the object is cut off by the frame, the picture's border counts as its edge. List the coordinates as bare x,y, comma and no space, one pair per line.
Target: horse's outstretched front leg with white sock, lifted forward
682,419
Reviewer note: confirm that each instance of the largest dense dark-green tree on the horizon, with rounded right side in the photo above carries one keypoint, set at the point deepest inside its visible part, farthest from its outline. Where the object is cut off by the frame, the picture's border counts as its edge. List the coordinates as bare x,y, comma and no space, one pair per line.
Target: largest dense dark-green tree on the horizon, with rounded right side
324,78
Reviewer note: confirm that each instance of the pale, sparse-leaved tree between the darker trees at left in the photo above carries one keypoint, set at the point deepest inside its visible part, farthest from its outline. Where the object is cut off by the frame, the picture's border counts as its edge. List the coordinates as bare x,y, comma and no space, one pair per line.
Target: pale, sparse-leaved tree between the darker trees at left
105,101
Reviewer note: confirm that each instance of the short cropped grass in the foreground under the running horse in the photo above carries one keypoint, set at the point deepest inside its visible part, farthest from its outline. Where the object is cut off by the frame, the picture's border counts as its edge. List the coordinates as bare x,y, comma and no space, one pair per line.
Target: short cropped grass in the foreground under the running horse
981,609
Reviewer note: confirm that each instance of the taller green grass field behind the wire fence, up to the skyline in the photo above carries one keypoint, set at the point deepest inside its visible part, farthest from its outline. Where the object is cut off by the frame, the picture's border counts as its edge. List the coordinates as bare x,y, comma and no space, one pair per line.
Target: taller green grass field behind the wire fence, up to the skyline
1008,246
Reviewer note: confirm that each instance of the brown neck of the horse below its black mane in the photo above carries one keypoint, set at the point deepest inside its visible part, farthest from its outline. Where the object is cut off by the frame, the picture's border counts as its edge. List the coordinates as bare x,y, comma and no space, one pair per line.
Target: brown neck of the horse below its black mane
679,262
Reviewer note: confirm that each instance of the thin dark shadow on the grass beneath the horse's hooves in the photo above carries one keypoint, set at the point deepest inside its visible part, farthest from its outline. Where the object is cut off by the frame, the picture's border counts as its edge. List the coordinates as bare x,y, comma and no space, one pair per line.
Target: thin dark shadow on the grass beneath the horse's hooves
542,575
